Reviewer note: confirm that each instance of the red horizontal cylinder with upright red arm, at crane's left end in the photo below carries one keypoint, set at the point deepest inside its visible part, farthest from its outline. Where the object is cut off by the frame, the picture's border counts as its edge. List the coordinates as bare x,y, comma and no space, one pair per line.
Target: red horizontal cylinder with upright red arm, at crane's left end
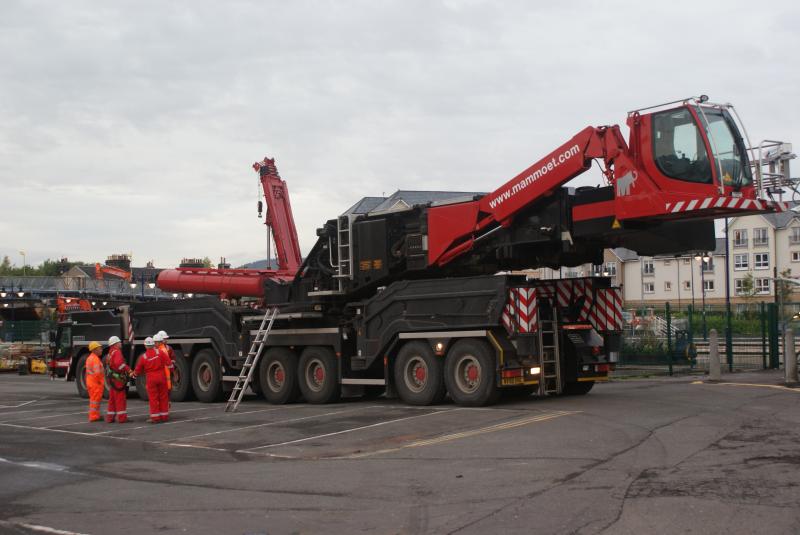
231,283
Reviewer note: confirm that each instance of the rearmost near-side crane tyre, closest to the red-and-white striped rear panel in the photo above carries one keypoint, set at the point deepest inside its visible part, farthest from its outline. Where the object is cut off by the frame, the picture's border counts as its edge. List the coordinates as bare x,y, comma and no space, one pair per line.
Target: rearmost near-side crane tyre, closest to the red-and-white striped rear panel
469,373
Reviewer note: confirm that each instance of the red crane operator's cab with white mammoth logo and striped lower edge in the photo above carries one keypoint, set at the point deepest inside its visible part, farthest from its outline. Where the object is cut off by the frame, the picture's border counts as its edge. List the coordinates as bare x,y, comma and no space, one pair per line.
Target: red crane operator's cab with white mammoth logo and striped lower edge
692,157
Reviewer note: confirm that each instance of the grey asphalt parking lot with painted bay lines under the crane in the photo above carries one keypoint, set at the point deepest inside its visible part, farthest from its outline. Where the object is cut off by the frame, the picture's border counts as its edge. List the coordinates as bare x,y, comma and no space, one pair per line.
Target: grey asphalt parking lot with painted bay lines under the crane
670,455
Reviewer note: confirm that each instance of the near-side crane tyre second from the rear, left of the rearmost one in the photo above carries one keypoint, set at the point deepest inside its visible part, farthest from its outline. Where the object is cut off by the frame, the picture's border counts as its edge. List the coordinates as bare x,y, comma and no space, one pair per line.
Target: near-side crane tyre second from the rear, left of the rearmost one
418,375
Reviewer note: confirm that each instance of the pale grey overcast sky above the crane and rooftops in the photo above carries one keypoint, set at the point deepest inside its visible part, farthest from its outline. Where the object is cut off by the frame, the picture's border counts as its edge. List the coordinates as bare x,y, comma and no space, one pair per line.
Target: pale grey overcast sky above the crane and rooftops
132,126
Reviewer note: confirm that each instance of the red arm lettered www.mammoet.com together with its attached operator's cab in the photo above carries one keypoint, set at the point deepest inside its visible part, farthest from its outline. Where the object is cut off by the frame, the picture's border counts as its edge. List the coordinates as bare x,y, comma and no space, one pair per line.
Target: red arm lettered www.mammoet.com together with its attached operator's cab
683,163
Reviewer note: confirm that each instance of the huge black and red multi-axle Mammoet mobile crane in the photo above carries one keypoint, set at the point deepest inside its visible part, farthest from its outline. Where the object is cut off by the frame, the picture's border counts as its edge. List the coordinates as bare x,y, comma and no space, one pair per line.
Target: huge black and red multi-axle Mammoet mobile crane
423,301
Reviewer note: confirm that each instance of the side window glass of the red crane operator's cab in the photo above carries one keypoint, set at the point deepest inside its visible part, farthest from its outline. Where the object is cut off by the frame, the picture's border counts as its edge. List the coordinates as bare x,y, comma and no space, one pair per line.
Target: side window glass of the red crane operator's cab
679,147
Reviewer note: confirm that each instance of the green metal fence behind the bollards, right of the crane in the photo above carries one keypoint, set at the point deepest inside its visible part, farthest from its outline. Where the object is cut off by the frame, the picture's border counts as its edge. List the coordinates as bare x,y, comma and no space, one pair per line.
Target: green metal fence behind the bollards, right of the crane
665,339
